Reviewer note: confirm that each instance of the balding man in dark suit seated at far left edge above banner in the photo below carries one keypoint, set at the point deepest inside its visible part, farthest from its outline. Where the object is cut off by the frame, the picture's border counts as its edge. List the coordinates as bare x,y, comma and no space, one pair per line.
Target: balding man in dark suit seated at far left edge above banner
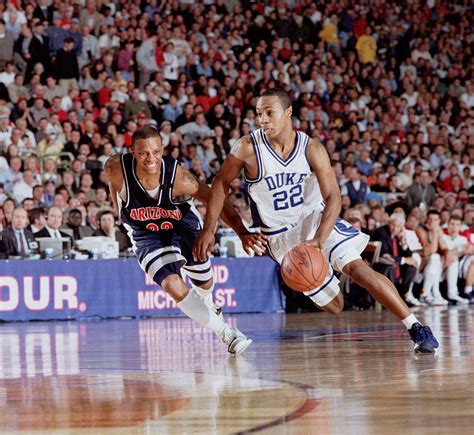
18,240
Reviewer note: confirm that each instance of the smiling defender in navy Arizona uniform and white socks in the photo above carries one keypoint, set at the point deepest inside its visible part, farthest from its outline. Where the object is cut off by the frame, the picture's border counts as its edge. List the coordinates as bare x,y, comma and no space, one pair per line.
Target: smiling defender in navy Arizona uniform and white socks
153,194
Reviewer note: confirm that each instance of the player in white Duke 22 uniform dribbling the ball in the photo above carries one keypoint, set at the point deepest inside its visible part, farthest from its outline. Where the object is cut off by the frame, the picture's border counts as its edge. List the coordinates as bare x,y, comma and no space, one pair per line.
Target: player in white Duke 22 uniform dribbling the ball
295,198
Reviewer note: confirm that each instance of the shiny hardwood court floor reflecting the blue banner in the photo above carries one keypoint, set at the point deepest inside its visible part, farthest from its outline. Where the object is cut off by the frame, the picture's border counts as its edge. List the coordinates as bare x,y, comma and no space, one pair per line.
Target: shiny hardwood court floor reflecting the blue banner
354,373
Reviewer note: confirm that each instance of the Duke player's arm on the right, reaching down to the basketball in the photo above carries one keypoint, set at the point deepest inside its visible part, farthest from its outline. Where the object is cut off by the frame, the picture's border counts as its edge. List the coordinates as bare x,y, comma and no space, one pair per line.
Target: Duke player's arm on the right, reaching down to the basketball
321,166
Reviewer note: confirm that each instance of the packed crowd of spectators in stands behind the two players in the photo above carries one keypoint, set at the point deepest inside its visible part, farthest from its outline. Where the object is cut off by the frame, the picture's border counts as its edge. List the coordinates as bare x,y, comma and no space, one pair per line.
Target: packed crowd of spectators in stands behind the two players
387,87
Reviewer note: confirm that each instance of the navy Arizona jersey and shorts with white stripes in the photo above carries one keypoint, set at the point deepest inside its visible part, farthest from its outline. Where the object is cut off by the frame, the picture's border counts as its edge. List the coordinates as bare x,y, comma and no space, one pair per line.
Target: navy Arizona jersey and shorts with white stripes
162,230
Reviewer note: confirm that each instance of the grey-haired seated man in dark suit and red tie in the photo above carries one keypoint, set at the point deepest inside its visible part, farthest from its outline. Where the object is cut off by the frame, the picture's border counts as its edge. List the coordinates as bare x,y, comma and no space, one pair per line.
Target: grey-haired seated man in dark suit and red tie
397,262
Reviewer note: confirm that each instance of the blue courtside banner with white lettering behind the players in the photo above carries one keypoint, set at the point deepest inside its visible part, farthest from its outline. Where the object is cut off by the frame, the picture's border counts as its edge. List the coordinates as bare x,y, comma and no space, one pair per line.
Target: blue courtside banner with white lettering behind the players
69,289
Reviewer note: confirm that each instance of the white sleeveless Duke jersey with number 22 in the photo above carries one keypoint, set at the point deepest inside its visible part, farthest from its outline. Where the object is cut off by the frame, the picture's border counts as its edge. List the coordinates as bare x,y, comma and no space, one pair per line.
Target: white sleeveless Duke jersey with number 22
284,190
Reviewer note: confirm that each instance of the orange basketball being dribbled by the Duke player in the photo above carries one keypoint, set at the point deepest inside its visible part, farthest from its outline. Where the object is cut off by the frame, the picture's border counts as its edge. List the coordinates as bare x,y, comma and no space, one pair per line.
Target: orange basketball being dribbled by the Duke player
304,268
